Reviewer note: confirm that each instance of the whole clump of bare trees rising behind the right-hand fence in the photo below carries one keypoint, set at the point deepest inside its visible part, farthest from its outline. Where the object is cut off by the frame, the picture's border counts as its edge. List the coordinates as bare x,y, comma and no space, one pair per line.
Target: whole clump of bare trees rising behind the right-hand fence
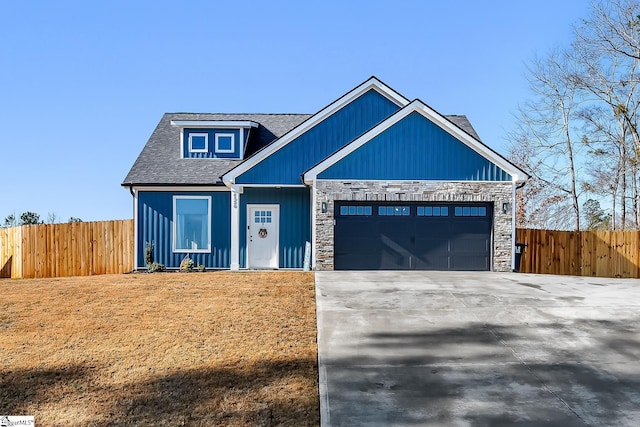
581,124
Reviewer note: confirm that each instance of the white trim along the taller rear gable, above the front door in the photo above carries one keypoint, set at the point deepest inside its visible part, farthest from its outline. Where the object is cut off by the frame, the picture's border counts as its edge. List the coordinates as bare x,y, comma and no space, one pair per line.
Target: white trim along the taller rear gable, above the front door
373,83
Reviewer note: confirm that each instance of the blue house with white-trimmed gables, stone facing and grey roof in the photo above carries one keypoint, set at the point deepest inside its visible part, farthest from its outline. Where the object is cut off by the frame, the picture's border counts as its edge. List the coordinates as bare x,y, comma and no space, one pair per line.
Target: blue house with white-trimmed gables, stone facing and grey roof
372,181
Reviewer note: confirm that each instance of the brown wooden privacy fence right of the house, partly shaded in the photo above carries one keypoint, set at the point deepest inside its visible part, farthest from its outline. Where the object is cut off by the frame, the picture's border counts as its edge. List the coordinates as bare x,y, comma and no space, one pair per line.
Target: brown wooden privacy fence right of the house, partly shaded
580,253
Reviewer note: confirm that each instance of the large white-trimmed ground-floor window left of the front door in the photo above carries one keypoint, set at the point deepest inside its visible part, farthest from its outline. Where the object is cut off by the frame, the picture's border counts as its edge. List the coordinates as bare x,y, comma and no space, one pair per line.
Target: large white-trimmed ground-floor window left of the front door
192,224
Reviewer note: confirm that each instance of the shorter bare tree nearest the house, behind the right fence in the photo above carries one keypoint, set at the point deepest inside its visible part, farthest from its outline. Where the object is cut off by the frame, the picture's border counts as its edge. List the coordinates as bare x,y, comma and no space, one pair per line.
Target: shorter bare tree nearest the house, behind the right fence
546,132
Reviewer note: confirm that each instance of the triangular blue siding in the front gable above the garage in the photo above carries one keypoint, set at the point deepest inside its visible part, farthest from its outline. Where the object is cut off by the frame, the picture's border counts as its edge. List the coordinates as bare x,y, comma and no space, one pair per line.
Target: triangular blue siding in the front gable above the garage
415,148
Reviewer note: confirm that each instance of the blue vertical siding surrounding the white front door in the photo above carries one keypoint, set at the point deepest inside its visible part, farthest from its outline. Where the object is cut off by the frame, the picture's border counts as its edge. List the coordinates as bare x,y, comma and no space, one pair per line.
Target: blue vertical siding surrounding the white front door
295,221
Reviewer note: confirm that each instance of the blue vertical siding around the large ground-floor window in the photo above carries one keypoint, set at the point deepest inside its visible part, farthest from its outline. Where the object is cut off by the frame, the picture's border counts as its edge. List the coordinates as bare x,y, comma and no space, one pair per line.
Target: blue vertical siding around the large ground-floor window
155,223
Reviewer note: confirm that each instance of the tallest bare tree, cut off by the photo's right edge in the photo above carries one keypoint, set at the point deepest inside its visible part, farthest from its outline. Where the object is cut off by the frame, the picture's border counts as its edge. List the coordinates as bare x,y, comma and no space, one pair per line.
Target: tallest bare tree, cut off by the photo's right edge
606,53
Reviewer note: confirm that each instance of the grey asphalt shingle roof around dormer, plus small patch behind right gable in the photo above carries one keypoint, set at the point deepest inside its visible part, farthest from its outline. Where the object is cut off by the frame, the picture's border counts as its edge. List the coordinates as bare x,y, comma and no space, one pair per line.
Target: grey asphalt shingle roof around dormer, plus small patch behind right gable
159,163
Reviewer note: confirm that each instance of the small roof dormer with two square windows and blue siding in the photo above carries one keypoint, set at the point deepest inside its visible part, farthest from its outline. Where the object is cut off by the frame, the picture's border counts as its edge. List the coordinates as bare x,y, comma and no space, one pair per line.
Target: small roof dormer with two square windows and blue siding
213,139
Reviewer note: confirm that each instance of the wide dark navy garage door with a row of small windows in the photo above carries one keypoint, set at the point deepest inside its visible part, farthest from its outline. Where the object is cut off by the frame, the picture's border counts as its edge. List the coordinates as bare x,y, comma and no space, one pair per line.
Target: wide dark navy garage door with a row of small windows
412,236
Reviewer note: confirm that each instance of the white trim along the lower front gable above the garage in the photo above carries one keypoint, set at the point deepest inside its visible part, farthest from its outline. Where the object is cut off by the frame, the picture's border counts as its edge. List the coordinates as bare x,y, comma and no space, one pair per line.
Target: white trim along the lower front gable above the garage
418,106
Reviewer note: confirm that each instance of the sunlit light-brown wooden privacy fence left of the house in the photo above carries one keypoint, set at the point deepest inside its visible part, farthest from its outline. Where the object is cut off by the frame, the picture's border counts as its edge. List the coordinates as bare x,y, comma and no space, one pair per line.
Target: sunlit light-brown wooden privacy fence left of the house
74,249
